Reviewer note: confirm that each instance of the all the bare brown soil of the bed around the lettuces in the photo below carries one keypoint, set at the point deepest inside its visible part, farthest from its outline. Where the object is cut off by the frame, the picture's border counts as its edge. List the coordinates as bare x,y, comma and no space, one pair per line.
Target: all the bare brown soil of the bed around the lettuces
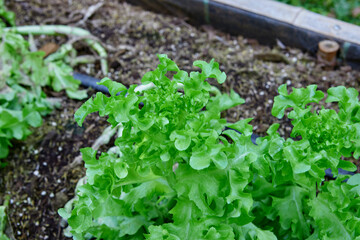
34,178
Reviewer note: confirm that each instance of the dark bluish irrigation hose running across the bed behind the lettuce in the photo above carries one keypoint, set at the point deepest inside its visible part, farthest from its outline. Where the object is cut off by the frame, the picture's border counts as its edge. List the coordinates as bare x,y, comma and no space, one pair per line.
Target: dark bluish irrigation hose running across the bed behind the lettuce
88,81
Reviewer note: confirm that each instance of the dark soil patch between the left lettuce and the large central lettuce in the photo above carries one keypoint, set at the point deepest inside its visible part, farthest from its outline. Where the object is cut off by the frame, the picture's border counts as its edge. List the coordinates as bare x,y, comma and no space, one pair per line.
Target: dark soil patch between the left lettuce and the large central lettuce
34,178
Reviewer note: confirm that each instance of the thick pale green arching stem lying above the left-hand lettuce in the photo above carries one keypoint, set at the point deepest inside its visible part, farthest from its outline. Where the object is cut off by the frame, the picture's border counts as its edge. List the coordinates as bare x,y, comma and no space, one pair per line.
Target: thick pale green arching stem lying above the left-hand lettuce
66,30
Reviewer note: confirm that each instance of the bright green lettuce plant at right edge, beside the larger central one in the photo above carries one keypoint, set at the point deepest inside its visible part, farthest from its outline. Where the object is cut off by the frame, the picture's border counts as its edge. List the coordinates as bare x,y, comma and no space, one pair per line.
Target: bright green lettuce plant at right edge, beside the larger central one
292,196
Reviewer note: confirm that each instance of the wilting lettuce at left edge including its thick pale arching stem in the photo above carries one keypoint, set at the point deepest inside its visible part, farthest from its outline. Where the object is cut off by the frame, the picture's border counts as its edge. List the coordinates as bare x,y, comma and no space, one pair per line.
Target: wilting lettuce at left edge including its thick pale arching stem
24,74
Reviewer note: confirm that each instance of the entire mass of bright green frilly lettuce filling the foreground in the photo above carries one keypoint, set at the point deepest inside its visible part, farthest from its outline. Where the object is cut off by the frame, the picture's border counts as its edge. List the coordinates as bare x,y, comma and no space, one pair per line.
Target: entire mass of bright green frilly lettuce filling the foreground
177,173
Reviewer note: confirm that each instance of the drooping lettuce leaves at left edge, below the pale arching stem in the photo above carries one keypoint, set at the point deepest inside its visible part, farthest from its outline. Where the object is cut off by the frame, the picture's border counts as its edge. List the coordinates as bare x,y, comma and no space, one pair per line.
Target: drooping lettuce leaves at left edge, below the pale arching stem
23,74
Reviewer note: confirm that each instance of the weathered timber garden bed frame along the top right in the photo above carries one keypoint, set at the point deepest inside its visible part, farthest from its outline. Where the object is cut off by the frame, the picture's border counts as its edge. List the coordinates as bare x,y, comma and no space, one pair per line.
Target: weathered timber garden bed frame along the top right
267,21
